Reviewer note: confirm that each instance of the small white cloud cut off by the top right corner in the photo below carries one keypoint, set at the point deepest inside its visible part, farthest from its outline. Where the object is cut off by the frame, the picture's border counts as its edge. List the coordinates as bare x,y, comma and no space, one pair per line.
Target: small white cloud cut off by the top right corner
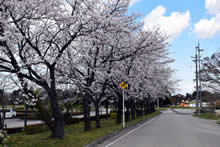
213,6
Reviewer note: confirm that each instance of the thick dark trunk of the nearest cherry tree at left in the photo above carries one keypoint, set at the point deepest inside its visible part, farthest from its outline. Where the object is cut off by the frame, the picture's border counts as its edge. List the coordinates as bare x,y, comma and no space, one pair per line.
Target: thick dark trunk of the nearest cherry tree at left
57,114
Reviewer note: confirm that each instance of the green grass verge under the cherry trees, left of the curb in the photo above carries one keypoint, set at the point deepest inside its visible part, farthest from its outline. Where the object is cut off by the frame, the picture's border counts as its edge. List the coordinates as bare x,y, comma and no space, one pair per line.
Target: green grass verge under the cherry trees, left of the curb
74,135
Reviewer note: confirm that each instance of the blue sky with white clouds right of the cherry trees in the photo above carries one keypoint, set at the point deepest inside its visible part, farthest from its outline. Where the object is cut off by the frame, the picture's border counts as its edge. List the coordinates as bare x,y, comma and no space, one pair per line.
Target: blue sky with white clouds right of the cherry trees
186,22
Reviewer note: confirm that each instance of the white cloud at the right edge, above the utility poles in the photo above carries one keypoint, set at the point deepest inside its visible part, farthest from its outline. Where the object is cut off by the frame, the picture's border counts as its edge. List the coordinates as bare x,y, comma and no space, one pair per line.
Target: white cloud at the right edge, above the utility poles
208,28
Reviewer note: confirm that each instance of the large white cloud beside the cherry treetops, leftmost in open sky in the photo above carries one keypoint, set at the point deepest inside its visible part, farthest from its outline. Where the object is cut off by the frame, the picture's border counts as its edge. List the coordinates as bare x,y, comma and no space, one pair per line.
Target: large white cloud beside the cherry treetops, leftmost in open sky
173,25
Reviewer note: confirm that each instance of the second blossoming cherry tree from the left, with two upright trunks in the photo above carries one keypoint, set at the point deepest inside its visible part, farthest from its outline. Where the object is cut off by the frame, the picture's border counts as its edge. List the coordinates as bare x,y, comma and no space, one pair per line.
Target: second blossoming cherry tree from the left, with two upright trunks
86,68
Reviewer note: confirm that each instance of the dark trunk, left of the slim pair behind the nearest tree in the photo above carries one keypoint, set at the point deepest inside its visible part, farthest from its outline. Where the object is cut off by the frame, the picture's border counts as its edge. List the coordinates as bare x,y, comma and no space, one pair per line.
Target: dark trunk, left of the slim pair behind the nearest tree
86,112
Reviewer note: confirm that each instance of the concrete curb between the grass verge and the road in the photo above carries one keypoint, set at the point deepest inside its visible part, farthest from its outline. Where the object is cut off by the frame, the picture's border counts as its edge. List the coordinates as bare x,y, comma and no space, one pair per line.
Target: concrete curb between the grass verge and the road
107,137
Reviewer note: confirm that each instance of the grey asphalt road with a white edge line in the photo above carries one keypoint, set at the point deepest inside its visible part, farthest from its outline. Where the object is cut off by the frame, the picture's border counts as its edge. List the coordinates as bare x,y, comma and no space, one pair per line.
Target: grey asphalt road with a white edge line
171,129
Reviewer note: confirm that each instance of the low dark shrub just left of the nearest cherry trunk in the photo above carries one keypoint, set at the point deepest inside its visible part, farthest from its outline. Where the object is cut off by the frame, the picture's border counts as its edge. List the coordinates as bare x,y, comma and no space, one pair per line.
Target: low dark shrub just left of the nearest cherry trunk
33,129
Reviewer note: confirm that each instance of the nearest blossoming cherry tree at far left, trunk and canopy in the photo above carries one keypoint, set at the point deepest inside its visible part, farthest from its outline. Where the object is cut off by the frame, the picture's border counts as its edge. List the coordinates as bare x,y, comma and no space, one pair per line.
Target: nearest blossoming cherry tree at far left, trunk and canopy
35,35
